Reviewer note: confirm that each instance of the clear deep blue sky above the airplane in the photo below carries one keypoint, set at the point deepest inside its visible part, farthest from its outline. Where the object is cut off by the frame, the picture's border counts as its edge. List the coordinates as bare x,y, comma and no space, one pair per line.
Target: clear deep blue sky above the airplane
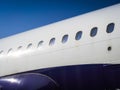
21,15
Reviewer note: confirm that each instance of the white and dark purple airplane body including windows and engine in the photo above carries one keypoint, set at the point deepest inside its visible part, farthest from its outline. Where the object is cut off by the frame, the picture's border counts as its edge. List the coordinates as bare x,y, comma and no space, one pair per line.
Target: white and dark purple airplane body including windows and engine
80,53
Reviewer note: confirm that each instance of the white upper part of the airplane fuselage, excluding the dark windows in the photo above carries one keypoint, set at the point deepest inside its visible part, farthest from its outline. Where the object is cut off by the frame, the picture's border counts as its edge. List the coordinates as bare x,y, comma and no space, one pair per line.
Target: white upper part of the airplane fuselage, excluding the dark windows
20,53
